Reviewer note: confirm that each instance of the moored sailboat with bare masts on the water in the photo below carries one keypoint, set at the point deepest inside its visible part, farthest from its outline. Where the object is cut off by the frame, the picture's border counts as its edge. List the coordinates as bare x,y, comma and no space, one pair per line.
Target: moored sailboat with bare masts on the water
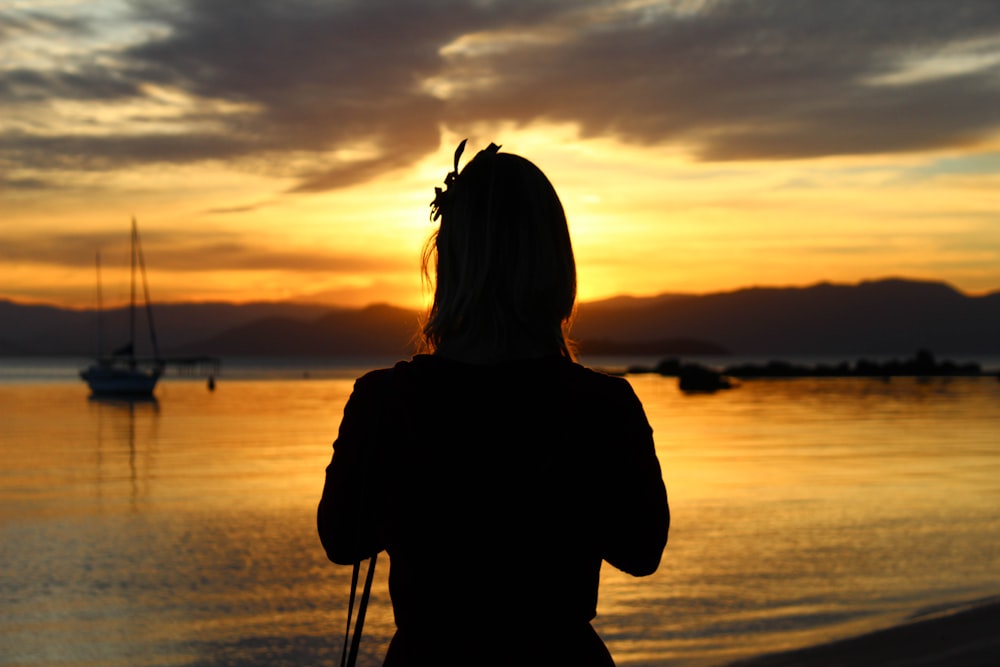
121,373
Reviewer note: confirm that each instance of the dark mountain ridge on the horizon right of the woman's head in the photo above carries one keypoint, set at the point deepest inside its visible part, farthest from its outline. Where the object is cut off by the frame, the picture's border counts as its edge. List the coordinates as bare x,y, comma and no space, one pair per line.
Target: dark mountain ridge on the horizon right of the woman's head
892,316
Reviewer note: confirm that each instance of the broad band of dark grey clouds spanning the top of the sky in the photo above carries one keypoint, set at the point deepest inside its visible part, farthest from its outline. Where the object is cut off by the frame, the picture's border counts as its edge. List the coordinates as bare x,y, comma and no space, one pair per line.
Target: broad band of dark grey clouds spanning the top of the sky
339,93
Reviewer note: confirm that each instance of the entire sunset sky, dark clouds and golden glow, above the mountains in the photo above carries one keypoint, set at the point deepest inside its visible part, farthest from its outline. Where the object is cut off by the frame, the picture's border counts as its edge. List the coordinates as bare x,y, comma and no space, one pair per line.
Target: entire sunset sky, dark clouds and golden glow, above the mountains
289,150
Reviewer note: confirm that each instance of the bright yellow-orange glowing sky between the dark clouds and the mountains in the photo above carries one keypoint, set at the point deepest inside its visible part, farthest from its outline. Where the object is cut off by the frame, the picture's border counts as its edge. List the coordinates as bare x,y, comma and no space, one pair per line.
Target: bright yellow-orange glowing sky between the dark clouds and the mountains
643,220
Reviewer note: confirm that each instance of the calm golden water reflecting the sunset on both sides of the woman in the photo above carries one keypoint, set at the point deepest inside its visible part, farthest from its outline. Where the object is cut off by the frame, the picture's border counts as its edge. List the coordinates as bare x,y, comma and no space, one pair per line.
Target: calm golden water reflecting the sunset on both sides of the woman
181,532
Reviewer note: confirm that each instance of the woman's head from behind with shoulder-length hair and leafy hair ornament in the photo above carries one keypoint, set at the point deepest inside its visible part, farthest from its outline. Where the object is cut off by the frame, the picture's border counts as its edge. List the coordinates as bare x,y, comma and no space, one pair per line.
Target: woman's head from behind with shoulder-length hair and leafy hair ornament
505,277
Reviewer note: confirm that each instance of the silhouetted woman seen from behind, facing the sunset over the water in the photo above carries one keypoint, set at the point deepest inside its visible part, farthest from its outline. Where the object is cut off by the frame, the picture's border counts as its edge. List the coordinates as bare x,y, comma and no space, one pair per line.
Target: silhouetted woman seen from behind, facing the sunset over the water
495,471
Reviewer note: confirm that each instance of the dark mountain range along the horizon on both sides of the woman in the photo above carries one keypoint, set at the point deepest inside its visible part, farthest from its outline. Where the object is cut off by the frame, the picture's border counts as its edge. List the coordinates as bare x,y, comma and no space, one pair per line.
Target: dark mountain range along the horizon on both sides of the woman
881,317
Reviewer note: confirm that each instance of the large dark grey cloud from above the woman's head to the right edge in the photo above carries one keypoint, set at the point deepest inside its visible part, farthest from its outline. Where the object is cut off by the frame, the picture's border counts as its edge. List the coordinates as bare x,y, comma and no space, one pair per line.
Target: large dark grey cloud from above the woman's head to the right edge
755,79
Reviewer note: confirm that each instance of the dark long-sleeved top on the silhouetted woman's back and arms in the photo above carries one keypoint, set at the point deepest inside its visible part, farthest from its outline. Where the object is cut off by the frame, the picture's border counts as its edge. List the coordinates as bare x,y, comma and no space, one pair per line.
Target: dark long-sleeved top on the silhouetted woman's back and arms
497,491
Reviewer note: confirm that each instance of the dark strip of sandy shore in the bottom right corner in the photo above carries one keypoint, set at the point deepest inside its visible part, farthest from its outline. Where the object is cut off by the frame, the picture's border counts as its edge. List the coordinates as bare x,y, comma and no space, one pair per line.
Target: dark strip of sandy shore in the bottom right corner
966,636
